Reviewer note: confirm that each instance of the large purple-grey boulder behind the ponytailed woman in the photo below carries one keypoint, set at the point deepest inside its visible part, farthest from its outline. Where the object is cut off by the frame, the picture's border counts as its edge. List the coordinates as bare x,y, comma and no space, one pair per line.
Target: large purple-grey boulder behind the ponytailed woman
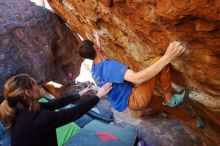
33,40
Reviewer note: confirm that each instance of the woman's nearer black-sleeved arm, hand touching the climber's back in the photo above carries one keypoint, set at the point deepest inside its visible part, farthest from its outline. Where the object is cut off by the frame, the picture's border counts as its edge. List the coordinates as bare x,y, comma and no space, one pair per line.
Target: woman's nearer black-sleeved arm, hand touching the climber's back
49,120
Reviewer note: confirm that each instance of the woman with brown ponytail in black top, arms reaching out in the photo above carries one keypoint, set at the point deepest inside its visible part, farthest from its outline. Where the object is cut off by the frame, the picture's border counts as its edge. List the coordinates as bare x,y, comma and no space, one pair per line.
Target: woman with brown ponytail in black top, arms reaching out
33,123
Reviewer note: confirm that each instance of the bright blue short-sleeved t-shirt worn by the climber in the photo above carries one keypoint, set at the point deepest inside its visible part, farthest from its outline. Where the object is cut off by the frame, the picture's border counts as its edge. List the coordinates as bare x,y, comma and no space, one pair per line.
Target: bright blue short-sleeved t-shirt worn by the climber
113,71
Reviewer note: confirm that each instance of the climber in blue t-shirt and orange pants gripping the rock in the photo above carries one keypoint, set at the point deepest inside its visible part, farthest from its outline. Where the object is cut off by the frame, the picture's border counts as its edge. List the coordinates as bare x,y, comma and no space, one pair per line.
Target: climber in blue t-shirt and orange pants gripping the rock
129,88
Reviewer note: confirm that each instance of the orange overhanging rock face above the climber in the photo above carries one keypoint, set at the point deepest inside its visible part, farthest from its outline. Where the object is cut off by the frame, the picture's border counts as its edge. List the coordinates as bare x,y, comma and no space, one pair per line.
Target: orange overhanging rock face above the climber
136,31
